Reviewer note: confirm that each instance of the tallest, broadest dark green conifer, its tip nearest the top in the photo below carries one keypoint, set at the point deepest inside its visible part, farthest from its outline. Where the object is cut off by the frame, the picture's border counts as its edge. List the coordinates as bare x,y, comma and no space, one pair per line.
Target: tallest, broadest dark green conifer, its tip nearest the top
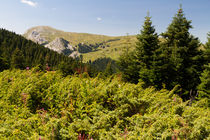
182,54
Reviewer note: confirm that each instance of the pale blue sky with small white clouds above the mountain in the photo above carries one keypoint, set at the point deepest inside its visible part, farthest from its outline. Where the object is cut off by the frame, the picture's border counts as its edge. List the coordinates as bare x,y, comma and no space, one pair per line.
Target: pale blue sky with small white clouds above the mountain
107,17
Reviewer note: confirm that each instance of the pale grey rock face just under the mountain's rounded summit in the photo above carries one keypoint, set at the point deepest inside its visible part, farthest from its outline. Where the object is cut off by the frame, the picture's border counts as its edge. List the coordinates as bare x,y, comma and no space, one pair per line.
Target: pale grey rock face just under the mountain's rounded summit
35,36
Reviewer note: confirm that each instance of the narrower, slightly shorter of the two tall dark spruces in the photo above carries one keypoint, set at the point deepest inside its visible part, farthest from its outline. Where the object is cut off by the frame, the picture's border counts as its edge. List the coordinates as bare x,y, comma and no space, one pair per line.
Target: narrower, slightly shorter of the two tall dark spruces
147,55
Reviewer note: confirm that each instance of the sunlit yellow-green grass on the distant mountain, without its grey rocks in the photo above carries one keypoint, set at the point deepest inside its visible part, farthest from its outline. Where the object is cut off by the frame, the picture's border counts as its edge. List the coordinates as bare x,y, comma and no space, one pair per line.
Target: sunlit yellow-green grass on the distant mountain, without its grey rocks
116,43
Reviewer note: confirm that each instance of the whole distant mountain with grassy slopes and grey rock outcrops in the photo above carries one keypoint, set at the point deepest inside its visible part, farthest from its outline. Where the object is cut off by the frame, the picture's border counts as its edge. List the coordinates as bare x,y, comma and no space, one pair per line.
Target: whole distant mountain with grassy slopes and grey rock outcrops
91,46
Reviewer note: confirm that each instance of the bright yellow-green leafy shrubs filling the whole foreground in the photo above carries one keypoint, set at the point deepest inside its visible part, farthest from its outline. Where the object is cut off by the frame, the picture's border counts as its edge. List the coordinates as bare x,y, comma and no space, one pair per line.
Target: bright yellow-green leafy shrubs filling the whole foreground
38,105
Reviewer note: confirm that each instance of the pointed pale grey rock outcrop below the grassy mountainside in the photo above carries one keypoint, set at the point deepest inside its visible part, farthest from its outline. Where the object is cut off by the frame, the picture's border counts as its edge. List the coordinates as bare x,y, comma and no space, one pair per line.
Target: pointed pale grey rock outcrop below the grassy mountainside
61,45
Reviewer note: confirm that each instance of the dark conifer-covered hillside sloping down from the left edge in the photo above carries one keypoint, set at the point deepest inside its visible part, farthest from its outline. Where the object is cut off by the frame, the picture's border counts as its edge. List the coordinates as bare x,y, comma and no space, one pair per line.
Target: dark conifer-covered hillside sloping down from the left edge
18,52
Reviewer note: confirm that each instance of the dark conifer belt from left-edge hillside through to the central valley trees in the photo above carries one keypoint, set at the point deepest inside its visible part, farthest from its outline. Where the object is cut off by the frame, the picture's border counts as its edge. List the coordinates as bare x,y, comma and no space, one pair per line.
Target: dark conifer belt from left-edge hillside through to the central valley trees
16,52
